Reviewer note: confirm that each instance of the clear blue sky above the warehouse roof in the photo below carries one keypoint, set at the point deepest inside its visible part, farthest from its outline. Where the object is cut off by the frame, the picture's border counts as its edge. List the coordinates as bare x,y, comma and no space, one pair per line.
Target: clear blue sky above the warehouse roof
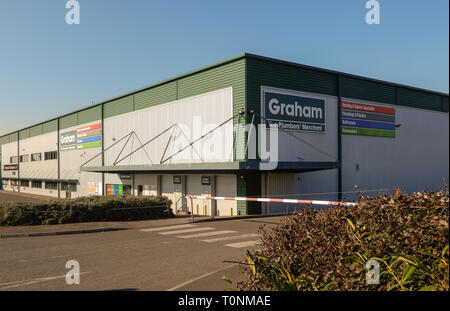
48,68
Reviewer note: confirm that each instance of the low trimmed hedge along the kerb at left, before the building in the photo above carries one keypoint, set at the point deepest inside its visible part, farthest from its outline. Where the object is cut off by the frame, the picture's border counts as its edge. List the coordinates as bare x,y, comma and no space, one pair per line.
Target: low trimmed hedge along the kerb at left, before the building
85,209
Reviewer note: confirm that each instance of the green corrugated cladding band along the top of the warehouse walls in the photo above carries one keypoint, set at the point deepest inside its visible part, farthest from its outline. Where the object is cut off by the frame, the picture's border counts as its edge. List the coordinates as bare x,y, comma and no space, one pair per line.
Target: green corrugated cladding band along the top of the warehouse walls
245,73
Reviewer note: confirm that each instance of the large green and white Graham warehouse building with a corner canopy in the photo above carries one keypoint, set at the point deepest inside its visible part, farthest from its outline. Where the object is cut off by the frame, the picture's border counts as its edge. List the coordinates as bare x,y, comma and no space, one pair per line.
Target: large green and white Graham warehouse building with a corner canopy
248,126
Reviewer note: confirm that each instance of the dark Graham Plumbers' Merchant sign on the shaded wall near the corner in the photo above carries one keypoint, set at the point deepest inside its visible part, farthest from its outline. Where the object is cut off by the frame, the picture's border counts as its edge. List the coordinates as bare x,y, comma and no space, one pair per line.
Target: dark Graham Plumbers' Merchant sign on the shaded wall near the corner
292,112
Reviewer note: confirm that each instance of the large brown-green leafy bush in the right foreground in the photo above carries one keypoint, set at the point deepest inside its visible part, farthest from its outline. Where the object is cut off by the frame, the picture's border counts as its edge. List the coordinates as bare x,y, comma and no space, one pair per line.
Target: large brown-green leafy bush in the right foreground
328,249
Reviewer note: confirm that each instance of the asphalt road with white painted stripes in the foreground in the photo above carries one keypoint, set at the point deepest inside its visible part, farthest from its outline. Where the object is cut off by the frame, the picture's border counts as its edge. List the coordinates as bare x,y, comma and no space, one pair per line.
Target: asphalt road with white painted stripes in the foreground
179,256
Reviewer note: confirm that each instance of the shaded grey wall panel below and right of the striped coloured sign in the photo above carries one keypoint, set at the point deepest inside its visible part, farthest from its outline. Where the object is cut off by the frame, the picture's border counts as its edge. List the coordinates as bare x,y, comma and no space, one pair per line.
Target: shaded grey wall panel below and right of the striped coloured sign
415,160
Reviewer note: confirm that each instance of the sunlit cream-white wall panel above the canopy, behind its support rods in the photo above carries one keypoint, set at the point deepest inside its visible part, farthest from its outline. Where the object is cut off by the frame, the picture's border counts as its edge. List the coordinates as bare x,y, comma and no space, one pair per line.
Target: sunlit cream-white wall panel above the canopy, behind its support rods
210,108
